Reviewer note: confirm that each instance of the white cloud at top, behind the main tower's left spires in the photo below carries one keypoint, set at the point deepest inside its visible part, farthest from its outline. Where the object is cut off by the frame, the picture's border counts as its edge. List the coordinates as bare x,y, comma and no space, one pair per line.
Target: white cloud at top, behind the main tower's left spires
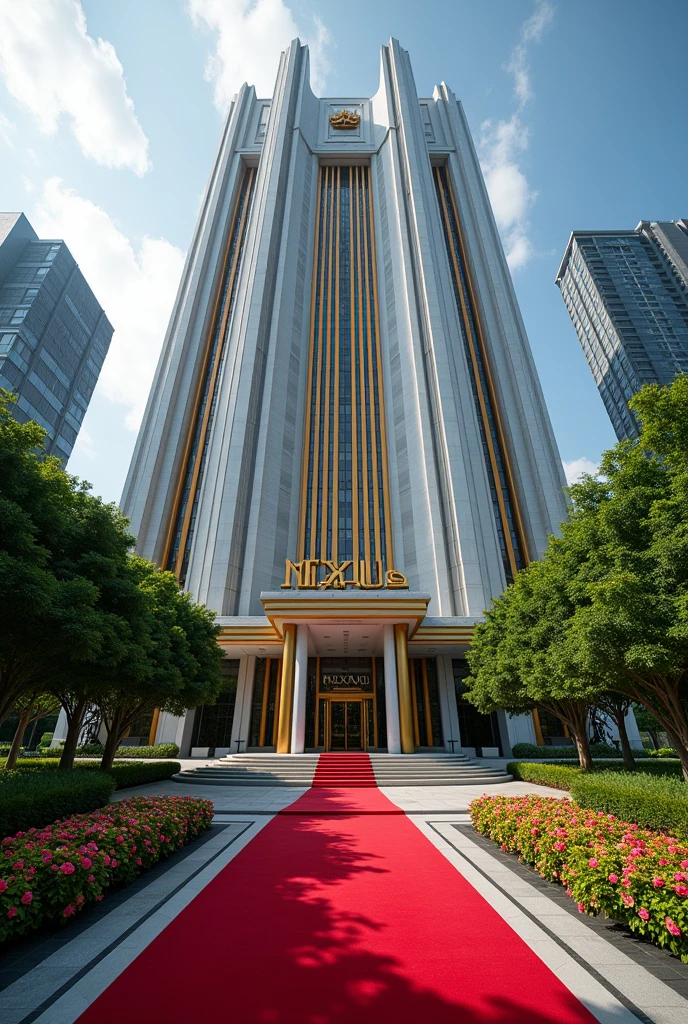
251,34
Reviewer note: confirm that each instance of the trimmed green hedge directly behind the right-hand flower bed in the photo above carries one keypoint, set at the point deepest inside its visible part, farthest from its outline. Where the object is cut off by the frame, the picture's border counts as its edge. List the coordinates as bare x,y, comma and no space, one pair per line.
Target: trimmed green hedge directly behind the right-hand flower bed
655,803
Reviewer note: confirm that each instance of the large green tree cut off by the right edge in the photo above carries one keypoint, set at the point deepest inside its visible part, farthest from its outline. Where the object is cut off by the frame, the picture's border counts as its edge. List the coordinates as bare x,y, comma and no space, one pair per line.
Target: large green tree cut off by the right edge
631,625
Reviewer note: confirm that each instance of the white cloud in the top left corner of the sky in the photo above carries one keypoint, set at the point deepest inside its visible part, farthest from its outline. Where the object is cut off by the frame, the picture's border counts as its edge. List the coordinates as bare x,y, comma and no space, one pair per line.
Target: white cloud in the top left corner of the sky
53,68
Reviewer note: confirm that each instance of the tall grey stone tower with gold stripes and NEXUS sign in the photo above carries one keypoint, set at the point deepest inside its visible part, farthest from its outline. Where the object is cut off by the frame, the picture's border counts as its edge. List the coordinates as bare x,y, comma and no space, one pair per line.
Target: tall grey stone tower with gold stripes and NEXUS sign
347,452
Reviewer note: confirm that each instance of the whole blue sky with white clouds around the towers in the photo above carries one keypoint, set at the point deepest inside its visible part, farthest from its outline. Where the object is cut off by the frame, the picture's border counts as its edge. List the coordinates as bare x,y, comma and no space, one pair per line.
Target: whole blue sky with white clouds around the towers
111,115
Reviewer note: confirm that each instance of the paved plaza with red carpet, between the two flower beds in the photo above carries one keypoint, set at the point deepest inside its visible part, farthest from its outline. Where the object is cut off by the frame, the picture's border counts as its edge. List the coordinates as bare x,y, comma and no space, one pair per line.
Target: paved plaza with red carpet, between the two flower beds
331,905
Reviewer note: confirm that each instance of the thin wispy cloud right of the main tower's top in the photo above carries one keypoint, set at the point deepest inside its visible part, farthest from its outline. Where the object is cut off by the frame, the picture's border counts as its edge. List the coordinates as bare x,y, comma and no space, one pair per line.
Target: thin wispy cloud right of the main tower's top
502,145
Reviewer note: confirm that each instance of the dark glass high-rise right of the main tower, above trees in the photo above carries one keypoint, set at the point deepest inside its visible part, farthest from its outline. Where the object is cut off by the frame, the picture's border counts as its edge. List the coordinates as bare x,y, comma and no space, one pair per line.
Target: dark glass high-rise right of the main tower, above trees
627,293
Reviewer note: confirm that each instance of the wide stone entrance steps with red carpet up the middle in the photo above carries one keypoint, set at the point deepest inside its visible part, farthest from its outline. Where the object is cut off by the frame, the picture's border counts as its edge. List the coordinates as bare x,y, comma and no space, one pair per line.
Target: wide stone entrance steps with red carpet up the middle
345,771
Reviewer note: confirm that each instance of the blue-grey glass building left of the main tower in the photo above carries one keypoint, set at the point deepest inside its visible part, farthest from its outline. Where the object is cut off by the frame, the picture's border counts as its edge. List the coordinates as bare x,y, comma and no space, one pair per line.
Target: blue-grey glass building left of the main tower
54,334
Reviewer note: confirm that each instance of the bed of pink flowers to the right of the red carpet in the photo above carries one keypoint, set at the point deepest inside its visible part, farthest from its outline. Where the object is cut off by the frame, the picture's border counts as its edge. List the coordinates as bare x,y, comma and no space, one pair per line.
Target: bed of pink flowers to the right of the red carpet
631,874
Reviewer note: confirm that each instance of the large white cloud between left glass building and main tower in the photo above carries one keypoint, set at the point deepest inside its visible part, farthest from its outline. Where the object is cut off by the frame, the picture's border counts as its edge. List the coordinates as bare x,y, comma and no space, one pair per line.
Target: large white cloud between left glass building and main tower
137,289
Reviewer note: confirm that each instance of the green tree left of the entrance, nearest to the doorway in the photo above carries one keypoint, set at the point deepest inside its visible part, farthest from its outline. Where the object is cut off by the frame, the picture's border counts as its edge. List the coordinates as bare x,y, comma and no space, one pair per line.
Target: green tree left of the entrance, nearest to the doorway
174,663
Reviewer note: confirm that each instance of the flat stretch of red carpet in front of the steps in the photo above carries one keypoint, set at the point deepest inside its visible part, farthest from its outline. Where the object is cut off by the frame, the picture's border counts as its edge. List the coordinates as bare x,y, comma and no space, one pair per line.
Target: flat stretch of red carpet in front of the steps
326,920
